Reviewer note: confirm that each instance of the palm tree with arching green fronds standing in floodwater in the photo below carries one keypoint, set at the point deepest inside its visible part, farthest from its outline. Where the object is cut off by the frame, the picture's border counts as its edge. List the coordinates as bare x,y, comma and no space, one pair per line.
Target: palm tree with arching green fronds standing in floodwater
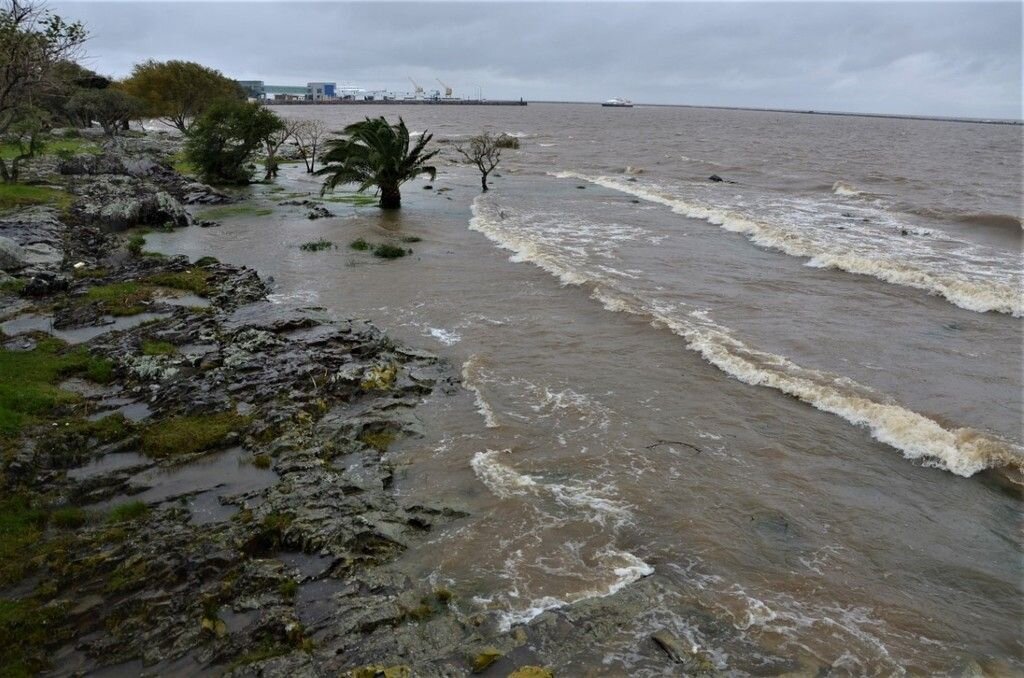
376,154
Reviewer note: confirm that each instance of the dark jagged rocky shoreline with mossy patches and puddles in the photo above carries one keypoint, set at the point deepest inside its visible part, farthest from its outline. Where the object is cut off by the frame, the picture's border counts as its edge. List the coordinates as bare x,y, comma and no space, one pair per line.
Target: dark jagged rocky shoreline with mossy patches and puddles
206,488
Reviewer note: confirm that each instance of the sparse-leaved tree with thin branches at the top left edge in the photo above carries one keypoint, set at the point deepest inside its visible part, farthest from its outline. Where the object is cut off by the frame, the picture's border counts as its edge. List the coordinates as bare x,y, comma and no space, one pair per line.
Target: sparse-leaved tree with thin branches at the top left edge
34,45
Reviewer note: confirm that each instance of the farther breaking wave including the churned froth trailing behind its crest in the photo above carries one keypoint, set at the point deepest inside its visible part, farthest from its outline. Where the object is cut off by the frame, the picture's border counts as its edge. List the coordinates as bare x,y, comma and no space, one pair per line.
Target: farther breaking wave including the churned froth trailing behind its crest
986,286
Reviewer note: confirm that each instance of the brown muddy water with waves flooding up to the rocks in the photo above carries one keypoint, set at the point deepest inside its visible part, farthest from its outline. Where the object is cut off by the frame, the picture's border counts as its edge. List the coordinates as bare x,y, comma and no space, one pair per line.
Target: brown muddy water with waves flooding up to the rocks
789,399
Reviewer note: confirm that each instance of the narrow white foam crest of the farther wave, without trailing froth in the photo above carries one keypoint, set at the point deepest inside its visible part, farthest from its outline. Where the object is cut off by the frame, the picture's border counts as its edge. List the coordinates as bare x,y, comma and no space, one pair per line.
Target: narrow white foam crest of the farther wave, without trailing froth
980,296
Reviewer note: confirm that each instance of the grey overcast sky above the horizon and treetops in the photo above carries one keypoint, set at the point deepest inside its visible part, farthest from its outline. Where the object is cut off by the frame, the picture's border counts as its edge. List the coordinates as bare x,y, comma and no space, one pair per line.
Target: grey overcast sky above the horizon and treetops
924,59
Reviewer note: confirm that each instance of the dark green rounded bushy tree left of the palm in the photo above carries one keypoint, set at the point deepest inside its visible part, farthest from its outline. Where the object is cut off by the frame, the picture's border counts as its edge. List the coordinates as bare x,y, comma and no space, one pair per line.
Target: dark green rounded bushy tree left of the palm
223,142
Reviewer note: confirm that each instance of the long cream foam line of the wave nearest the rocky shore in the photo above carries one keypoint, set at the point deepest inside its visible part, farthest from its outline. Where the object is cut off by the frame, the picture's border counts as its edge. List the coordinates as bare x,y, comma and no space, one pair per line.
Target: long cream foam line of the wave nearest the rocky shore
961,451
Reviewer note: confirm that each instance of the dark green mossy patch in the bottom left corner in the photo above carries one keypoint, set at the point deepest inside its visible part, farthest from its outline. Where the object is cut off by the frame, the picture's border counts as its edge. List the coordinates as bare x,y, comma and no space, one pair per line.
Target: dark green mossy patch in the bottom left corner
28,629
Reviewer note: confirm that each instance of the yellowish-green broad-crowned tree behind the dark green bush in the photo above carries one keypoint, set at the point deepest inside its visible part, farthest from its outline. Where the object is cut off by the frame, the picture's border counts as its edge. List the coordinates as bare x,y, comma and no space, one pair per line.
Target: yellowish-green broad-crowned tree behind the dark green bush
179,93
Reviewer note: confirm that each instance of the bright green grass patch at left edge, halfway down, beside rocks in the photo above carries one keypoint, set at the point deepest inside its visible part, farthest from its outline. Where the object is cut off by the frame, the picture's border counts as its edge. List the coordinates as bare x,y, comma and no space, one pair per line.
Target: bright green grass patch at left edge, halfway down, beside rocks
28,391
